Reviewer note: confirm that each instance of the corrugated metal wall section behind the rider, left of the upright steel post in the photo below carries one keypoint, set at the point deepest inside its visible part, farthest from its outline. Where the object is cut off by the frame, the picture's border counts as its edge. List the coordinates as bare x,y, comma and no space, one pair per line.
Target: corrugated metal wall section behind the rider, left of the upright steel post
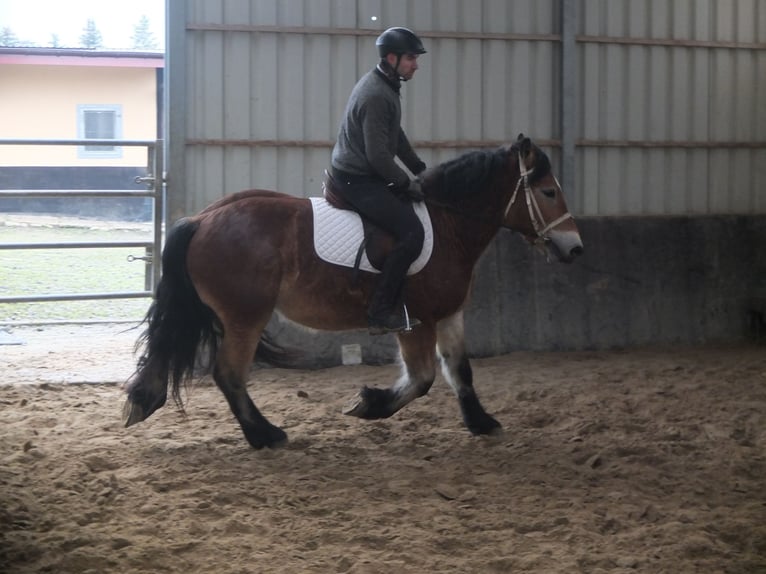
257,88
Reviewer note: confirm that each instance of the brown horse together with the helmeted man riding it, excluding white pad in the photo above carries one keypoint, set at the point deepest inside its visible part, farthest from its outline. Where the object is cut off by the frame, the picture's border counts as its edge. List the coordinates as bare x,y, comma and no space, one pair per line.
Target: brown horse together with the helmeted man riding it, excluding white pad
230,267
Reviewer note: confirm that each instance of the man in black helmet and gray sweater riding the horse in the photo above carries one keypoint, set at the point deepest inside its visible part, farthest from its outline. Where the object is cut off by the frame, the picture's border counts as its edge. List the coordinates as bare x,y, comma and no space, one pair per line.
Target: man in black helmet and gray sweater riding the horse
368,178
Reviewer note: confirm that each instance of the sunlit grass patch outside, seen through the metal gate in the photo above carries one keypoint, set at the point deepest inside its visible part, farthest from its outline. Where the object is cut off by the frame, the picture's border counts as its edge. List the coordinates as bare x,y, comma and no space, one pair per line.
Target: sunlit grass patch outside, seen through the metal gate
31,272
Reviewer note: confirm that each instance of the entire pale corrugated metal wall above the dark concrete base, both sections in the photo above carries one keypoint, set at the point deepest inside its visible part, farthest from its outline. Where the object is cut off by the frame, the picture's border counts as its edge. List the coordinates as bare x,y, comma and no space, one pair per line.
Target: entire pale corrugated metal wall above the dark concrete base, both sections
665,113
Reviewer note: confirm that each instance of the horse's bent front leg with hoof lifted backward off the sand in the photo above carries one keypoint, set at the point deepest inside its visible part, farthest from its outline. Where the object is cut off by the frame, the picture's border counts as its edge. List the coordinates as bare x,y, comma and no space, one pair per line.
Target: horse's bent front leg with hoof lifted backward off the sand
418,372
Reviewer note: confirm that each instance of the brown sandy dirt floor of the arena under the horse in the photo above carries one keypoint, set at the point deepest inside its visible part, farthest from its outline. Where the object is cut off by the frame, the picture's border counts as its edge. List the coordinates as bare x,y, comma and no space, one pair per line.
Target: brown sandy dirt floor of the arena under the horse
635,461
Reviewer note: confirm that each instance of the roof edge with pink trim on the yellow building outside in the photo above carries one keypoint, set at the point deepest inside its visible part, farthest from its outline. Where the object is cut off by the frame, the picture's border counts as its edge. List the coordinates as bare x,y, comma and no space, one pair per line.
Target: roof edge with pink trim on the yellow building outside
81,57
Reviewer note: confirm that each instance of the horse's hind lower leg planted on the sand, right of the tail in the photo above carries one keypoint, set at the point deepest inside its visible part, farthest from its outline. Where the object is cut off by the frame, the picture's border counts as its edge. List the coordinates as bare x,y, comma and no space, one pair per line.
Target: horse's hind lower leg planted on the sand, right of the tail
233,362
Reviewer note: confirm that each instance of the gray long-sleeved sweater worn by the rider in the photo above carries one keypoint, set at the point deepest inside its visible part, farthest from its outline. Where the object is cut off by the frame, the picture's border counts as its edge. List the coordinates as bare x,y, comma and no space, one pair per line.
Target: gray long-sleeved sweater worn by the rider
370,135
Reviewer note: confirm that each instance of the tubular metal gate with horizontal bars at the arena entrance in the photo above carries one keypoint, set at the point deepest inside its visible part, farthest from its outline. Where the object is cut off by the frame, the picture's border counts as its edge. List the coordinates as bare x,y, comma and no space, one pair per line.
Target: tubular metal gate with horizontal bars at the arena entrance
153,180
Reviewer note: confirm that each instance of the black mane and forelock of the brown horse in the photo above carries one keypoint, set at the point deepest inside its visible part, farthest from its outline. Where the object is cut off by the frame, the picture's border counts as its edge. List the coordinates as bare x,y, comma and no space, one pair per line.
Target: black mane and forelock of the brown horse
459,177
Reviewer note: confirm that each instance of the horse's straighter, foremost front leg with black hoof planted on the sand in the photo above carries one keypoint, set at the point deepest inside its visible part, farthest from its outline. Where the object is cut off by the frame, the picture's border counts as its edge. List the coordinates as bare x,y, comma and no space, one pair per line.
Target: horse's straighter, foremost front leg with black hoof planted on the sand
450,345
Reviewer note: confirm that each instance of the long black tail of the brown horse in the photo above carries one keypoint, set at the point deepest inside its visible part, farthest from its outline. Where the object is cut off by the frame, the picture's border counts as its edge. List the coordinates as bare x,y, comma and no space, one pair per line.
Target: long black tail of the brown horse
178,326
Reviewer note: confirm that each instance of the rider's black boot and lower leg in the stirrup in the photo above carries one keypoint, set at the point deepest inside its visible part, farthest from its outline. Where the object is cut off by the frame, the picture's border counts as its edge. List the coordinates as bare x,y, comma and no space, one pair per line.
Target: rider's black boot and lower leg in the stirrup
386,312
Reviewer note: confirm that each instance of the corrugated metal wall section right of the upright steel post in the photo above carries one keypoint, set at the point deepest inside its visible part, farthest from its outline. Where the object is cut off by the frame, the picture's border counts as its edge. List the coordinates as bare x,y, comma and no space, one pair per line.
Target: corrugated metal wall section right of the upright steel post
671,107
